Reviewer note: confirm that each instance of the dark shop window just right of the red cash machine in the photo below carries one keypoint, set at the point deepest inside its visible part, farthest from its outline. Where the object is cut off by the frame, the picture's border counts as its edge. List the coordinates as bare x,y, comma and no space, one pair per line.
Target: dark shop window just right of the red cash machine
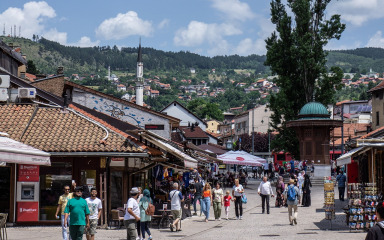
52,182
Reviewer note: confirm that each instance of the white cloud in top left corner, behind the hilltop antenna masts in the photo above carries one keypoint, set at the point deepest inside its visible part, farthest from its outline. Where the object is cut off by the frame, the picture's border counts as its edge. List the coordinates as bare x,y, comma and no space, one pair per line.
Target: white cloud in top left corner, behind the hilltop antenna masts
30,18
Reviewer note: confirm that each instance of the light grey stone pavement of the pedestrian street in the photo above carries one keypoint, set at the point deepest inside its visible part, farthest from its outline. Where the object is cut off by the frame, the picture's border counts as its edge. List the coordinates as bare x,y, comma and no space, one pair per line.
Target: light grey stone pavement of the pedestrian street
311,224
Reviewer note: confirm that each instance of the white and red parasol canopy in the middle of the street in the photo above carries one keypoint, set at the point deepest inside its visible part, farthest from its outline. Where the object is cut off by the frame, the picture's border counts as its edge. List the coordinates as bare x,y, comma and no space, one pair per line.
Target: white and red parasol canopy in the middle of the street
241,158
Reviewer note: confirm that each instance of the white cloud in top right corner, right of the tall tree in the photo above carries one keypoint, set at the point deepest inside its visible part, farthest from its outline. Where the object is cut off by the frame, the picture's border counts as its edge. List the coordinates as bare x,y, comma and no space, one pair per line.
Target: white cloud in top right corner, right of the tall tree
358,12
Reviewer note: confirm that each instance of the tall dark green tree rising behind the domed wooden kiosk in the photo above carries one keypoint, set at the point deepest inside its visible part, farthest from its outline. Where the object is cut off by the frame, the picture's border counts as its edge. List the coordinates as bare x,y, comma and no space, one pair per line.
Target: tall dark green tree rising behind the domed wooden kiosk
295,53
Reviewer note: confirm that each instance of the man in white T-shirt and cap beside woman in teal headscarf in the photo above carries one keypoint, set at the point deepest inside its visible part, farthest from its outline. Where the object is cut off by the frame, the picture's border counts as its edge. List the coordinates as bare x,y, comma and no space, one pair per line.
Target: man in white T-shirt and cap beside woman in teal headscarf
132,214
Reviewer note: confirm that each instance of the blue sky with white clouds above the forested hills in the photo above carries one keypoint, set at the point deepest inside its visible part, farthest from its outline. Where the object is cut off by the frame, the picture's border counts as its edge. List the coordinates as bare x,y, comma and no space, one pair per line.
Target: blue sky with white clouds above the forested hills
205,27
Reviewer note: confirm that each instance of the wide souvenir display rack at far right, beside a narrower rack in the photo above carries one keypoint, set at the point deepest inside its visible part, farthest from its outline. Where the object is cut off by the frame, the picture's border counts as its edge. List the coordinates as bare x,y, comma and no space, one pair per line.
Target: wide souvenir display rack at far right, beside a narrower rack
363,200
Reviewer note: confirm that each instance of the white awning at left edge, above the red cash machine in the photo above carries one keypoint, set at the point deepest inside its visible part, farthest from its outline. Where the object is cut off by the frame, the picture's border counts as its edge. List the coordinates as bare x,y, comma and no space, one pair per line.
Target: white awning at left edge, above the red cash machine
12,151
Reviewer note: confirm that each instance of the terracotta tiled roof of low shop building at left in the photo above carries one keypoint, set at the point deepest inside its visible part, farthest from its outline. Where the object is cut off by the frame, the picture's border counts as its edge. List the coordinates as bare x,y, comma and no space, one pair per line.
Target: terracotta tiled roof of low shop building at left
52,130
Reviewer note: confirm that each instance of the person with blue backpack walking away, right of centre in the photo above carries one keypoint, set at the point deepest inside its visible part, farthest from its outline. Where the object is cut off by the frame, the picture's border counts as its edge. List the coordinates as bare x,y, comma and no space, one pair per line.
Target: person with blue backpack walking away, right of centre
292,194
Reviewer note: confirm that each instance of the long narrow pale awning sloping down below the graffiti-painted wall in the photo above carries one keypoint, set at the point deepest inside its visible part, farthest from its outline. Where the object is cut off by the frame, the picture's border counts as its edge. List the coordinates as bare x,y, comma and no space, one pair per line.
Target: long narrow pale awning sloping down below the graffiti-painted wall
189,162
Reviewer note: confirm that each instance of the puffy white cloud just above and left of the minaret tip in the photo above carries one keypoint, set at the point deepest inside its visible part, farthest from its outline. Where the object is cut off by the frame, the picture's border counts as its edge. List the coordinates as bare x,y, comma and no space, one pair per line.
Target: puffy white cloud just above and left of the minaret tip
123,26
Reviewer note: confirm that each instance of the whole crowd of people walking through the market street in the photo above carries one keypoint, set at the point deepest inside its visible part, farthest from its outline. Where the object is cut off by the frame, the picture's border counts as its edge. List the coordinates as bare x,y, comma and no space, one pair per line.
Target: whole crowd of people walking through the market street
81,213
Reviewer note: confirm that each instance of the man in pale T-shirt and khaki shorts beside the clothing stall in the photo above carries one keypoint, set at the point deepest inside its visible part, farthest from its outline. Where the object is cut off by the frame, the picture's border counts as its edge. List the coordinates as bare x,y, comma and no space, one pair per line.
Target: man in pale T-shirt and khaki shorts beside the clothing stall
176,198
